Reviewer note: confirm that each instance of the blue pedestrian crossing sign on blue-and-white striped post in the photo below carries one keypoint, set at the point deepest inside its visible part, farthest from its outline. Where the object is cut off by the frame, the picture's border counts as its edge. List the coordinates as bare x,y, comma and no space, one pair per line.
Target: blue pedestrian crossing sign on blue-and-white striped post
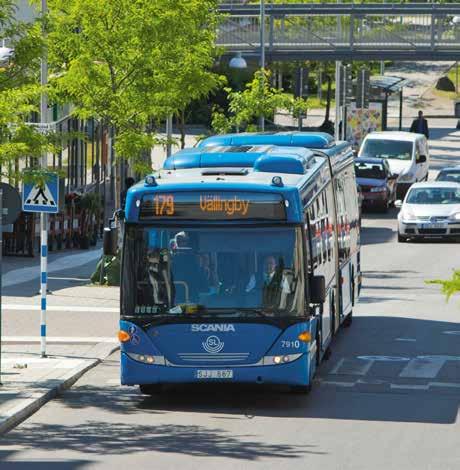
45,200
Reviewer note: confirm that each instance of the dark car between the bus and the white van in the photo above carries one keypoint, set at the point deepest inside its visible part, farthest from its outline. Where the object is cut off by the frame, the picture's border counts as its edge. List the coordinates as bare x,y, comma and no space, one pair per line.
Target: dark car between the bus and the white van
378,184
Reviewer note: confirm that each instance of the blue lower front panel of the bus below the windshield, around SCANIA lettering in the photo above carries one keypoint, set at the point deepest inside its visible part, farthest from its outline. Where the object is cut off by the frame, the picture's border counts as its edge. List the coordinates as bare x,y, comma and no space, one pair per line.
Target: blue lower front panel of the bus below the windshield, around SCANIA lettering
185,353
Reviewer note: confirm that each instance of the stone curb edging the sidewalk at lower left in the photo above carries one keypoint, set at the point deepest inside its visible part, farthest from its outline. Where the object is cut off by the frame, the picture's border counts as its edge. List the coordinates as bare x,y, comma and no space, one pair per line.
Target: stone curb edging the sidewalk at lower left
32,404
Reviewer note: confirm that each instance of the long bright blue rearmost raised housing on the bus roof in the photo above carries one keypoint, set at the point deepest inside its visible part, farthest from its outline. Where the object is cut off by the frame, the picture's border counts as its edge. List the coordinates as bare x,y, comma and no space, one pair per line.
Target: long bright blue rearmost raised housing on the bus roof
313,140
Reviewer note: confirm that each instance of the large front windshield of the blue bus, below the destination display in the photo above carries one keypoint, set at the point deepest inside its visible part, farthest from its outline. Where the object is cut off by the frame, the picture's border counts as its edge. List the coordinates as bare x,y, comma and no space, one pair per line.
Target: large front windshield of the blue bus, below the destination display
232,270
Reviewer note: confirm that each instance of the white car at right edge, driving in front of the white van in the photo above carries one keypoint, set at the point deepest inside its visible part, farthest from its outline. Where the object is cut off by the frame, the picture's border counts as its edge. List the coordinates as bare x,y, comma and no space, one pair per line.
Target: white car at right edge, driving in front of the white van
430,209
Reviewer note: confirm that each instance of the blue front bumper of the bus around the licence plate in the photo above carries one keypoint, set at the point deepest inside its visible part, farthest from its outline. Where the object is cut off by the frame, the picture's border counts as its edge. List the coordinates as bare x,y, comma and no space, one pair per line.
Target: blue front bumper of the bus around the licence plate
292,373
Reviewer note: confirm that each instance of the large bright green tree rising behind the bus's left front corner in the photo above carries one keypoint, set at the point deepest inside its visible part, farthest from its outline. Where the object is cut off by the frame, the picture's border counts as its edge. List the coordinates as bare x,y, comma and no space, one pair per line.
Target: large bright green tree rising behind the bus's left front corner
125,62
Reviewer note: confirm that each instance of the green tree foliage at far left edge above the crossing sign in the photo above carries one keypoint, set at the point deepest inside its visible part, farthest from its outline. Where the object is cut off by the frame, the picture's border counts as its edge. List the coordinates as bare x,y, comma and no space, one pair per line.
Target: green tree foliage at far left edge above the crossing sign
20,95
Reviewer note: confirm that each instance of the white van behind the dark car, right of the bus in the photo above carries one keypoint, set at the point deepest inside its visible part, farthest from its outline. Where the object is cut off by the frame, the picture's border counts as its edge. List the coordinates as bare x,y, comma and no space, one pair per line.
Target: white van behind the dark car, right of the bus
407,154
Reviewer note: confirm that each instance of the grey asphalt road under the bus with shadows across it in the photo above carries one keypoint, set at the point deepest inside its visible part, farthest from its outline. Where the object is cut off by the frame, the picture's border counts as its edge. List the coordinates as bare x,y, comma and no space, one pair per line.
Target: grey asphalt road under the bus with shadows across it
388,398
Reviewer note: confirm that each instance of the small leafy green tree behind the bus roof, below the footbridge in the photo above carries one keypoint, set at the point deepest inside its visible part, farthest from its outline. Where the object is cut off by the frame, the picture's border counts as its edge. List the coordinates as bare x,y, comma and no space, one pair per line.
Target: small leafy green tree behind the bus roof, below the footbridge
256,100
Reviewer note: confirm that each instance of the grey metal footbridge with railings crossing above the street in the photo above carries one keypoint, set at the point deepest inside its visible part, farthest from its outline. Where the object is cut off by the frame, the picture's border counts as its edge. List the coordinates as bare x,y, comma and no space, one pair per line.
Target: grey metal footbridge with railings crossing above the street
347,31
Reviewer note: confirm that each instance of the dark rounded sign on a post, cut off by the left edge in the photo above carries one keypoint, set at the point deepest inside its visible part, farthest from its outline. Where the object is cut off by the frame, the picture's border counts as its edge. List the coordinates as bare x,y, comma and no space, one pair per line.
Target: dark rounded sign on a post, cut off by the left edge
10,206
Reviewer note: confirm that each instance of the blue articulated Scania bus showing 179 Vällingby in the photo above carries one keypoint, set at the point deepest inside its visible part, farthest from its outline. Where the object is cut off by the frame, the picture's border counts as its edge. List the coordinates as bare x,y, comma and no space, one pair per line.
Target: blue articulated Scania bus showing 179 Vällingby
239,264
